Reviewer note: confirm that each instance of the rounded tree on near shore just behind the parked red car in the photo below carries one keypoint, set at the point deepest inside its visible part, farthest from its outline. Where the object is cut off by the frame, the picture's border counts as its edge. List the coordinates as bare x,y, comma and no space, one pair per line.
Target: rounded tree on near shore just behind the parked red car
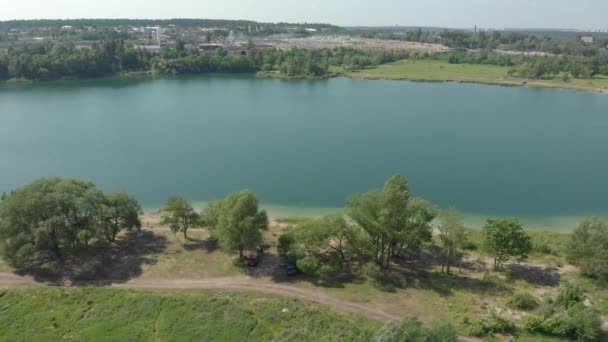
236,222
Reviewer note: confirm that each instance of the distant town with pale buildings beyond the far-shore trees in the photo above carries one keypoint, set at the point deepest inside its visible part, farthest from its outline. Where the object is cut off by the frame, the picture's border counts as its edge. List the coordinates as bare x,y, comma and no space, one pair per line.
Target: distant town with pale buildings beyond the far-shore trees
235,36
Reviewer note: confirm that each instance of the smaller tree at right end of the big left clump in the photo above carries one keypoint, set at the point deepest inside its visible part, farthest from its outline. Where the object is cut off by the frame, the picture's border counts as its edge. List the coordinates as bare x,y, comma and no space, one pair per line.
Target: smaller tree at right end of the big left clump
118,212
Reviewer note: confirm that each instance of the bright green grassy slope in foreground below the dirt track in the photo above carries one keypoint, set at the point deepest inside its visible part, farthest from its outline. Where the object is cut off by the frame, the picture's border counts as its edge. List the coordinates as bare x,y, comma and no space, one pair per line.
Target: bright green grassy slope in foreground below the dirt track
45,314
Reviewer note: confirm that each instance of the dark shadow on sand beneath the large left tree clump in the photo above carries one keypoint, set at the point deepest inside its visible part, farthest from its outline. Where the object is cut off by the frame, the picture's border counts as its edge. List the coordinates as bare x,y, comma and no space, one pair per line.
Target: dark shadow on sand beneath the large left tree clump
101,263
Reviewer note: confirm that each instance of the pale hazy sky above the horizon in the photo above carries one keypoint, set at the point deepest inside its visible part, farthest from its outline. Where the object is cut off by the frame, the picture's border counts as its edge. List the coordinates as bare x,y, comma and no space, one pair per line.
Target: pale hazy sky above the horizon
581,14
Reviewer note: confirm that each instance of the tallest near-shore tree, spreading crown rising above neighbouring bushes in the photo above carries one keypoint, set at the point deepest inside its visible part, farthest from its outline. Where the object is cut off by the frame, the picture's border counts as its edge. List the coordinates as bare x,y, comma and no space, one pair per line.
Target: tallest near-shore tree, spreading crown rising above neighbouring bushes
392,222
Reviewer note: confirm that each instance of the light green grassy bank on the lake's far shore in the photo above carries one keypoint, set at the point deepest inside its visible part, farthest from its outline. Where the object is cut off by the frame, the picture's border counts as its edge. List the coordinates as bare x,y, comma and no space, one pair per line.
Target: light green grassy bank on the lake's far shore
441,71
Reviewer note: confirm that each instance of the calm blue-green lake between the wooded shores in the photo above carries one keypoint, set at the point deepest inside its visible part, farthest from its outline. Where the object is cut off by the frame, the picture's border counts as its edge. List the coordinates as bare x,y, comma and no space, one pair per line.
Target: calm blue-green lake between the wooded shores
305,146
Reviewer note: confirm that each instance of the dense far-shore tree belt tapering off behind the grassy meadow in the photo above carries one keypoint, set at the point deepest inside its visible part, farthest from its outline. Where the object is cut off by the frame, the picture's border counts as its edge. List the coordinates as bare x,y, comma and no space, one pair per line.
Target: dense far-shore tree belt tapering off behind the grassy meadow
51,61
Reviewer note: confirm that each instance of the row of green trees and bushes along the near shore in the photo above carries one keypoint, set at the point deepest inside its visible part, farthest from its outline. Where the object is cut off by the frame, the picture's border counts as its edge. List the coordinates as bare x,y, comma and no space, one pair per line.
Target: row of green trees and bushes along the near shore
53,218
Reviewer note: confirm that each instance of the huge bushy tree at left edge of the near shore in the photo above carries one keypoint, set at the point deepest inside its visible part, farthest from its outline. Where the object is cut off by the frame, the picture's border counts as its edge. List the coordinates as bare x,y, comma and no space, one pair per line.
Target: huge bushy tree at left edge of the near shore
49,218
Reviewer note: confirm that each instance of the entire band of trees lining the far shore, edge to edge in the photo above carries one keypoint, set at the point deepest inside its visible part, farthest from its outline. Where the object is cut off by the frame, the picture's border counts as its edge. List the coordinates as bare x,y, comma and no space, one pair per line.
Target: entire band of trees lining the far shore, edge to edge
51,61
